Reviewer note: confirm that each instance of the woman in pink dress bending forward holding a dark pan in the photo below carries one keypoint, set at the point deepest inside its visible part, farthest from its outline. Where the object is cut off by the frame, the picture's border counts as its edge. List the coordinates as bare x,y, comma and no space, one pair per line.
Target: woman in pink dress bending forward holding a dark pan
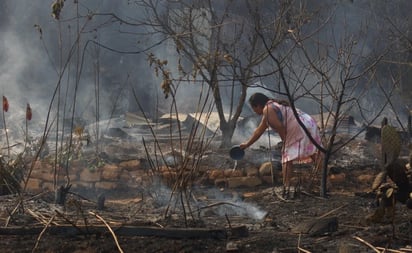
297,147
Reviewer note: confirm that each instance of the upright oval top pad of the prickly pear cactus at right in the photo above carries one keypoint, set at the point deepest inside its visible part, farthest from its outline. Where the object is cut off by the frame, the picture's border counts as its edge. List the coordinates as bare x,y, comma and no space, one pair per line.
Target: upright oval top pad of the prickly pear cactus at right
390,143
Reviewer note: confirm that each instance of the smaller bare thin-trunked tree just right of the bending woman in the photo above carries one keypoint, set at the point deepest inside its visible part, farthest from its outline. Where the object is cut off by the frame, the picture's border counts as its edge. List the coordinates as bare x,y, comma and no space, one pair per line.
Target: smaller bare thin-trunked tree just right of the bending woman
336,74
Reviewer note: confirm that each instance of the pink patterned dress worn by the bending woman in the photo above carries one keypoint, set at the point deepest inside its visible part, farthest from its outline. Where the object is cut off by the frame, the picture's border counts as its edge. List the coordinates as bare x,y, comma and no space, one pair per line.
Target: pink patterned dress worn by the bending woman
297,146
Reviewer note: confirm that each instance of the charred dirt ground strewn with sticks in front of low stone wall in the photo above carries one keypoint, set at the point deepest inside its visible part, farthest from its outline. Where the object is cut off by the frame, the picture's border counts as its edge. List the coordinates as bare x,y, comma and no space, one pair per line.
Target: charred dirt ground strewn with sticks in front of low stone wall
270,224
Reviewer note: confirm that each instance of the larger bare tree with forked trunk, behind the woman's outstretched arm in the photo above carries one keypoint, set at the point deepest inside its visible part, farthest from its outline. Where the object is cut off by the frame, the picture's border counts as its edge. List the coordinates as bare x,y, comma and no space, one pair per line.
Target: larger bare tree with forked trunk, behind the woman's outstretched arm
216,42
